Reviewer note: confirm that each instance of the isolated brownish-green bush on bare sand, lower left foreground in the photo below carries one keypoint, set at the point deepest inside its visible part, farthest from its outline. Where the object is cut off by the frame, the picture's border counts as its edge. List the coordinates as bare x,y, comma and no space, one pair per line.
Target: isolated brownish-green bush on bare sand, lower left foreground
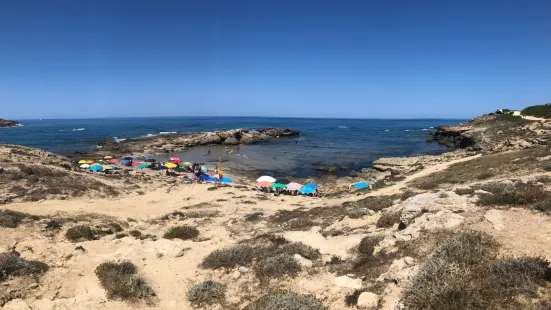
121,281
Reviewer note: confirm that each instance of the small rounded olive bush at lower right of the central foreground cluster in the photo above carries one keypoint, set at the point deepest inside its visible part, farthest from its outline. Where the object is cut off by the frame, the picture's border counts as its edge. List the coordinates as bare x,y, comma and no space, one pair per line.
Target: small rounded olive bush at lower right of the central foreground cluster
276,266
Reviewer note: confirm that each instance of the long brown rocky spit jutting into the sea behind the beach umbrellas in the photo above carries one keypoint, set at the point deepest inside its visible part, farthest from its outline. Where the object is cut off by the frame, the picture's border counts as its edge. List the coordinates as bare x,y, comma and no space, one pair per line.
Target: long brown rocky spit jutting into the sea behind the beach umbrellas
178,142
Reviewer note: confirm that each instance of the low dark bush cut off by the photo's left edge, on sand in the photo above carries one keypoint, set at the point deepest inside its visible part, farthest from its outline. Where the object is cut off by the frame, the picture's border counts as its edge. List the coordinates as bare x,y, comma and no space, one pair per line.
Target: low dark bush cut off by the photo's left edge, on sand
11,264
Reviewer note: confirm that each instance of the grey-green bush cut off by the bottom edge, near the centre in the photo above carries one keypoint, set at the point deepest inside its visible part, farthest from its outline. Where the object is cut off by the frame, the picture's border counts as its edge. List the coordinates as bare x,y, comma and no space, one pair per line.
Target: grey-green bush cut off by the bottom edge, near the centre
286,300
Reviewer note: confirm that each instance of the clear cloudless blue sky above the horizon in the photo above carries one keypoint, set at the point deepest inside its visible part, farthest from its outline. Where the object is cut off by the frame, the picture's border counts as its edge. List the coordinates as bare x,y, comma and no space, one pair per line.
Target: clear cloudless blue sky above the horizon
341,58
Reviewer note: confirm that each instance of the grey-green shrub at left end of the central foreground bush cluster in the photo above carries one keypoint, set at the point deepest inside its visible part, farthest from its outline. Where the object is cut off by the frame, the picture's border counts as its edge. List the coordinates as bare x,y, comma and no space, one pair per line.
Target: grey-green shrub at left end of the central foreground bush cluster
239,255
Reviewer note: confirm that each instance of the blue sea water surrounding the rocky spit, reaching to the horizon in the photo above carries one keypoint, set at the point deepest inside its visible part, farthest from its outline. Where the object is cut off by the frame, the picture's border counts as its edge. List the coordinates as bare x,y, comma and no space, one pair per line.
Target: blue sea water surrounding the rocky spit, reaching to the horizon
352,143
